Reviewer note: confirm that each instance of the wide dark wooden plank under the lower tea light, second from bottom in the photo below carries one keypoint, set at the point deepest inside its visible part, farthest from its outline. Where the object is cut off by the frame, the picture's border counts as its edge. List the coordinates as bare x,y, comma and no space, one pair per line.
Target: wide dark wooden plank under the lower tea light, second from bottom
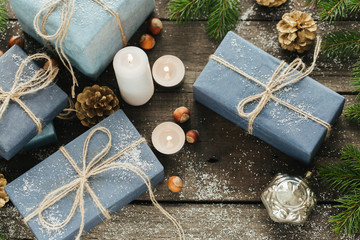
226,165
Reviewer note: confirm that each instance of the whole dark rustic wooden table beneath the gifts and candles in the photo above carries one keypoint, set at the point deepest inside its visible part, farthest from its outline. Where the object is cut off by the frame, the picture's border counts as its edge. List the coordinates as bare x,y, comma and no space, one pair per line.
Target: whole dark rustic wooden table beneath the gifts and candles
225,173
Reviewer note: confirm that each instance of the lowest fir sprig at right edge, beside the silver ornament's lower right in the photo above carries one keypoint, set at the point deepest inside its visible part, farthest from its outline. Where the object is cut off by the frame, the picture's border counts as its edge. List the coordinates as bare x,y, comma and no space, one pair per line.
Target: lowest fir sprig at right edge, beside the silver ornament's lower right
348,221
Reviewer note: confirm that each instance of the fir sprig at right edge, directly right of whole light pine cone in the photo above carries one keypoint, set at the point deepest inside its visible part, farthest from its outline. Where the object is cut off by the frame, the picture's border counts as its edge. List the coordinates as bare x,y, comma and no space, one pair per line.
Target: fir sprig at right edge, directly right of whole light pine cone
342,43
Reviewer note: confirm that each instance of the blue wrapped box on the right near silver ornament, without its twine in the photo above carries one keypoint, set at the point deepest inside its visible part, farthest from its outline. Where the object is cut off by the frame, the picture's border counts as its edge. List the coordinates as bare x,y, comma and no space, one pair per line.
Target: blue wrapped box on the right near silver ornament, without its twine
221,89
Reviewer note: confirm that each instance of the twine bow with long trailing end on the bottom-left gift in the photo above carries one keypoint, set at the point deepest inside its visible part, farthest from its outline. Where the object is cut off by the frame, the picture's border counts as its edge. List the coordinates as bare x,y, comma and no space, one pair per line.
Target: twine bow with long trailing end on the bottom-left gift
79,184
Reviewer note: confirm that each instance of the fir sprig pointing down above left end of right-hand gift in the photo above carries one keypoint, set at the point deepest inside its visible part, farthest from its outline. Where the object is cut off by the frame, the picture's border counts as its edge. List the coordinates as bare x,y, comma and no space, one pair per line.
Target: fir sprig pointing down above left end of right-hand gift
224,15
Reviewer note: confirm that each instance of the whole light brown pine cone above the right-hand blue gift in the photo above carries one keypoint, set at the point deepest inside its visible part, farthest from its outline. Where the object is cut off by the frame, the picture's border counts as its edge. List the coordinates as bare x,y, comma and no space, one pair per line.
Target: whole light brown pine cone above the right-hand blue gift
297,31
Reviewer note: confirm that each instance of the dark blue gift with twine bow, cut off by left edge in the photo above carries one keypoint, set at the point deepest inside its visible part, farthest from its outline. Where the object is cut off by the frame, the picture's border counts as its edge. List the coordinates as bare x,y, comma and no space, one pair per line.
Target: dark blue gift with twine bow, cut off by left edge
21,116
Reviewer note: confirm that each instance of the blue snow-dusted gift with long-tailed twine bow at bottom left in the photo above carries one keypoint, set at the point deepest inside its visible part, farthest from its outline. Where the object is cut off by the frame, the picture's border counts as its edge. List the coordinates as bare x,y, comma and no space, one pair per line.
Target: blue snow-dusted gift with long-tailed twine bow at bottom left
119,167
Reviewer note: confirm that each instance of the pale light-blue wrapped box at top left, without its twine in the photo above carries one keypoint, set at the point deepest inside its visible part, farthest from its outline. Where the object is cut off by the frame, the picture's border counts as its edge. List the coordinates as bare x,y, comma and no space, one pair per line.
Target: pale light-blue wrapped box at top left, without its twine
94,36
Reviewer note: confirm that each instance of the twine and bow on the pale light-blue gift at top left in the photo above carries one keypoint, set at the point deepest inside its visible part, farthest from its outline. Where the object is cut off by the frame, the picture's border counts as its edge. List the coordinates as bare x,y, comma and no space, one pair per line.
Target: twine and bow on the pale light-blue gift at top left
67,12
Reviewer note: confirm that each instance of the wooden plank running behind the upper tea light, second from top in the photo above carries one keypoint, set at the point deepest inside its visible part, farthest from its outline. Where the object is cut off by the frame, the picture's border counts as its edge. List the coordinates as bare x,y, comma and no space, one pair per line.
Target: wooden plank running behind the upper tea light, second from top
191,44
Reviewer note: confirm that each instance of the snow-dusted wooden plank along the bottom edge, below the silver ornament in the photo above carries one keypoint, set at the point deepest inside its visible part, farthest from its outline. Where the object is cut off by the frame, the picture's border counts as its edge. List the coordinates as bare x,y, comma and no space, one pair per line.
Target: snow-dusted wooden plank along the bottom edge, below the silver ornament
199,221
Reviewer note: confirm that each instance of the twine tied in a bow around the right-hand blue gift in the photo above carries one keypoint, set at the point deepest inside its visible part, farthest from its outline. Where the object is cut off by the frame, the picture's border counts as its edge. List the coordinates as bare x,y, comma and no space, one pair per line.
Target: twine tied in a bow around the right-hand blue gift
282,77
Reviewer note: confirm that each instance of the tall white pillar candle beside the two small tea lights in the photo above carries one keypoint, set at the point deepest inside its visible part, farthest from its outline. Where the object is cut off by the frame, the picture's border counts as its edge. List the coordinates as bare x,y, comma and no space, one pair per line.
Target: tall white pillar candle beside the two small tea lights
132,70
